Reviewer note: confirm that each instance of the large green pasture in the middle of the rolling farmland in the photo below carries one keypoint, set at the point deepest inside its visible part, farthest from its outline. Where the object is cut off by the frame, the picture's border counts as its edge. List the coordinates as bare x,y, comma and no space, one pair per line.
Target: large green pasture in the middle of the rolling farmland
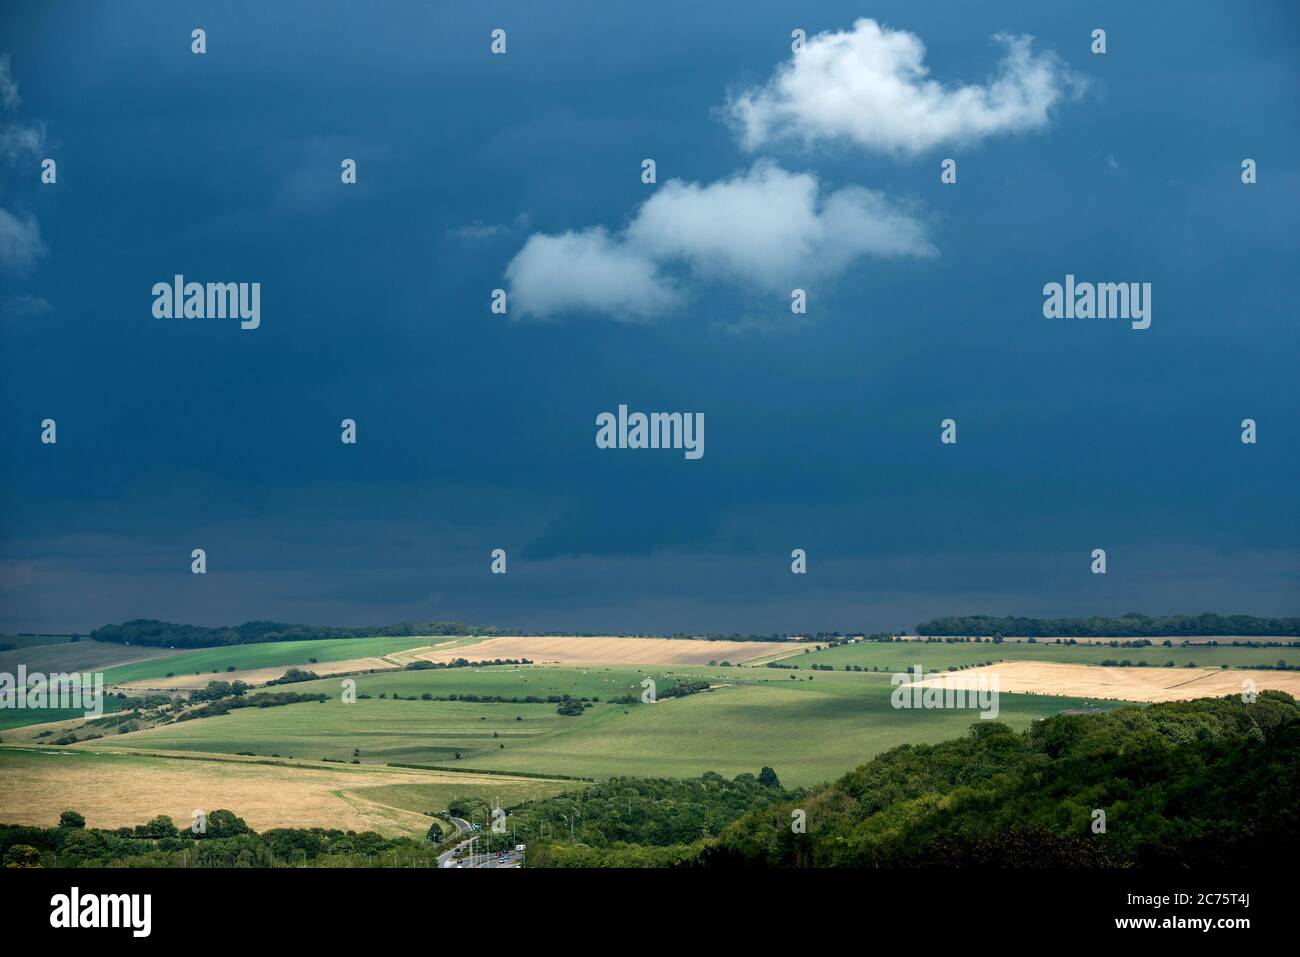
809,728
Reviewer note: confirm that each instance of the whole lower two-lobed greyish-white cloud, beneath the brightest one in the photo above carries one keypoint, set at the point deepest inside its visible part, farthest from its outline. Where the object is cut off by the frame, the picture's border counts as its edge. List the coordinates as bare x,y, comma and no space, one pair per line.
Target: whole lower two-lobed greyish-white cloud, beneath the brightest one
764,227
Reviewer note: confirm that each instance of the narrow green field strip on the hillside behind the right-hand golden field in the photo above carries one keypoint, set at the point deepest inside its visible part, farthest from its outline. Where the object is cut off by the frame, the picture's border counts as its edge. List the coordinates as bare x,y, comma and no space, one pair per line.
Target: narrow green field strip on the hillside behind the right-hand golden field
902,656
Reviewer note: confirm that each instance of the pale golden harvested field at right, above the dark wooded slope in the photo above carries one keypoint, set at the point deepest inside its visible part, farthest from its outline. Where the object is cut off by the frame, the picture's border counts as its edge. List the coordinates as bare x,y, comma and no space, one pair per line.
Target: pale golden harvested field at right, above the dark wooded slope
1120,685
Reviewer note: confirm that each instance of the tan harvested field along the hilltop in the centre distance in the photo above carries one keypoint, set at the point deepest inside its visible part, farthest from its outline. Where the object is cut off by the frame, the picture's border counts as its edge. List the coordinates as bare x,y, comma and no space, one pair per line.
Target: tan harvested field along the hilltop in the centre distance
606,651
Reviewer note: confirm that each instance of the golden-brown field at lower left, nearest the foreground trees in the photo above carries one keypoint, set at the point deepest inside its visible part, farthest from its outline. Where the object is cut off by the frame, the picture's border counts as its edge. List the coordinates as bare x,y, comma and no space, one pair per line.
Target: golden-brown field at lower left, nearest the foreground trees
125,790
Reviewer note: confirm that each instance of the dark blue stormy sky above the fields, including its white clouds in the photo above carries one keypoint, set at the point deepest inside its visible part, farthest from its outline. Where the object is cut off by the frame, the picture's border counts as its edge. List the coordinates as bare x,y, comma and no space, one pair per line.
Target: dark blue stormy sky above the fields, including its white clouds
476,431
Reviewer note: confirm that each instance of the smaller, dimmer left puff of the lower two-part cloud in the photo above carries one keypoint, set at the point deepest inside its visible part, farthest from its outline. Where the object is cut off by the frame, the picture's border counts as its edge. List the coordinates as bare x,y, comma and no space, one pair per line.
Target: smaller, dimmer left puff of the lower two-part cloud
586,272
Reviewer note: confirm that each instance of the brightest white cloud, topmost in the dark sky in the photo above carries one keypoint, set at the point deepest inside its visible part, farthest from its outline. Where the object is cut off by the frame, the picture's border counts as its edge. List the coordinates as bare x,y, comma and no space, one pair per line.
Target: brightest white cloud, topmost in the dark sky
870,86
